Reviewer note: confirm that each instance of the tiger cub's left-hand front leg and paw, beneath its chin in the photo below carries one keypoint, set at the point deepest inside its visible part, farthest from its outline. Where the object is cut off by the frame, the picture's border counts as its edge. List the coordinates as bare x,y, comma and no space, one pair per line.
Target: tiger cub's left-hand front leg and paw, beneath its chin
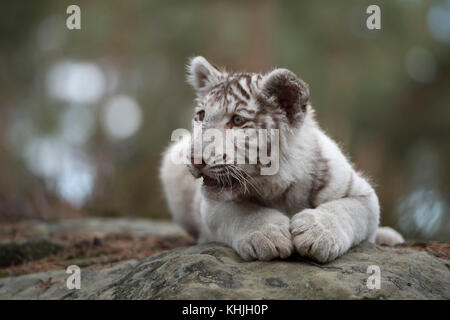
253,231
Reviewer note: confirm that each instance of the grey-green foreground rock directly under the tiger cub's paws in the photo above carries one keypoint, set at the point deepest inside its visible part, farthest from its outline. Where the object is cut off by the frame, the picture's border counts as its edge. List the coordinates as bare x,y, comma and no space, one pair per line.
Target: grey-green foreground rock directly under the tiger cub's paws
213,271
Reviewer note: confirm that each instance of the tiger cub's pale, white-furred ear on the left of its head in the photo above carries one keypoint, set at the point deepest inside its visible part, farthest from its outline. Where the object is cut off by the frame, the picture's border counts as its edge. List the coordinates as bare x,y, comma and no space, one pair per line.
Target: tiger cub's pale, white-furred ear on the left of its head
201,74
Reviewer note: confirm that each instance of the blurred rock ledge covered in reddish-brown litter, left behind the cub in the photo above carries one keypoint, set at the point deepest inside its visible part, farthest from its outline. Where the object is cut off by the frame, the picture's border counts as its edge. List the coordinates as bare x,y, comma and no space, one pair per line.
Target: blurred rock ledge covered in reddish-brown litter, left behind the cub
38,246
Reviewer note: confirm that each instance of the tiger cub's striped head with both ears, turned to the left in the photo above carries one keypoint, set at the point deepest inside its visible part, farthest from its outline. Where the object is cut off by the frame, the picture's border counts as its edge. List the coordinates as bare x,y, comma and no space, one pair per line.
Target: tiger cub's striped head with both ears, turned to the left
238,121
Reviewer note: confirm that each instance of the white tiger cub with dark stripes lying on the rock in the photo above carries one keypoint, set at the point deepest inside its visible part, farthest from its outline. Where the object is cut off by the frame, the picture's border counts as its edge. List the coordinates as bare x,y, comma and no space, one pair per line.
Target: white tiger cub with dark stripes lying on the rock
316,204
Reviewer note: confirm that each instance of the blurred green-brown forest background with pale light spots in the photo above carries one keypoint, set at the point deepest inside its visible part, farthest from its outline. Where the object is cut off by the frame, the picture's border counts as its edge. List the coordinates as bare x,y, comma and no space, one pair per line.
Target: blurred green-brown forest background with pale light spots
85,114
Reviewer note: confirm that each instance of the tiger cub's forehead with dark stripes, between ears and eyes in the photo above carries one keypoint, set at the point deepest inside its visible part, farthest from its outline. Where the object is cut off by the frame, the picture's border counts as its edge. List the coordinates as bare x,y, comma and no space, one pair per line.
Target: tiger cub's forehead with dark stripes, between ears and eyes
233,91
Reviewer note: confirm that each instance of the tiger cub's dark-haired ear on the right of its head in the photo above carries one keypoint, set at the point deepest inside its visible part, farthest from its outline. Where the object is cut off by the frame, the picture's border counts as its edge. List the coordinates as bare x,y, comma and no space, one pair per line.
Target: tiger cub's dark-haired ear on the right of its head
289,92
